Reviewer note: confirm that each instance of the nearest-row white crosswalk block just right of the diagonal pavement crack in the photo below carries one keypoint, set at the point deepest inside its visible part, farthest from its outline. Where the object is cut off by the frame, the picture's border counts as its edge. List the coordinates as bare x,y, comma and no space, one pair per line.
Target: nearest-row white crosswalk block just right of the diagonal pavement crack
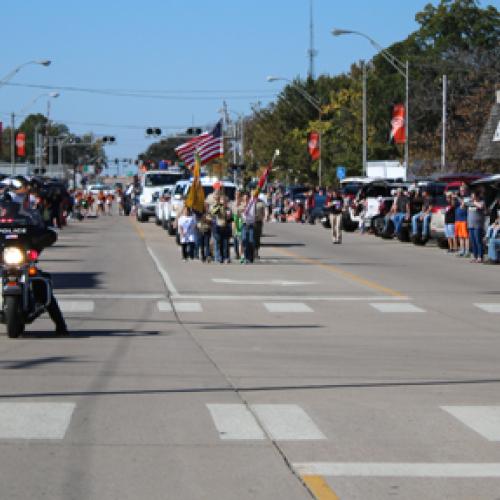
285,422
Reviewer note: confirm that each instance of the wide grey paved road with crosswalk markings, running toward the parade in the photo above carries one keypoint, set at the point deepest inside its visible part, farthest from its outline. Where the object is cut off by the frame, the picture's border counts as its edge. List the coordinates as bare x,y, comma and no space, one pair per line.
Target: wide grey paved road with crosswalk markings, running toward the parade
367,370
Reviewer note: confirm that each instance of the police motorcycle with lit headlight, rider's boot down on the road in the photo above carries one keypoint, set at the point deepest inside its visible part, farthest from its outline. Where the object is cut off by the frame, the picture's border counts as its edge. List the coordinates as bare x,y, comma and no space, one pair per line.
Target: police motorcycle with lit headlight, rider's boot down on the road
26,290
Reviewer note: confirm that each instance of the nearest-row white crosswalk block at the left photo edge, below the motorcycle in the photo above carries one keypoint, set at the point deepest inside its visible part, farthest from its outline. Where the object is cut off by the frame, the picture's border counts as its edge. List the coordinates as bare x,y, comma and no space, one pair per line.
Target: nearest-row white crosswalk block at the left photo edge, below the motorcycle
35,420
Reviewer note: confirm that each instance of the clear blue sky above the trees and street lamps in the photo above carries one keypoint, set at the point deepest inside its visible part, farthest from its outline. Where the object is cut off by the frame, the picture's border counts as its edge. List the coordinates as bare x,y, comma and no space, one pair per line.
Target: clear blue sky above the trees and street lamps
225,49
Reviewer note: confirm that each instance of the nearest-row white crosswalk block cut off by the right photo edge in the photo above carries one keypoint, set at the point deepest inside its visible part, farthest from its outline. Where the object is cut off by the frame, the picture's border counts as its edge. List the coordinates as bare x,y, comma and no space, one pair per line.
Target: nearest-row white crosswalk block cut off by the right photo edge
485,420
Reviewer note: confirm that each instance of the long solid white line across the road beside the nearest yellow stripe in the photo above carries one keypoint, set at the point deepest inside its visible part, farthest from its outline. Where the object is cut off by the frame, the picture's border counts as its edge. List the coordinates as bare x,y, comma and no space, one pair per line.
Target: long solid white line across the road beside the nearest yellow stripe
382,469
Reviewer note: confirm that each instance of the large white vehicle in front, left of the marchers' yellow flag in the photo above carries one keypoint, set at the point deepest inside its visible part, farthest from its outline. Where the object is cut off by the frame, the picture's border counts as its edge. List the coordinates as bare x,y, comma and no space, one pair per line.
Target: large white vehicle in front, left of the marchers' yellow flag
153,184
